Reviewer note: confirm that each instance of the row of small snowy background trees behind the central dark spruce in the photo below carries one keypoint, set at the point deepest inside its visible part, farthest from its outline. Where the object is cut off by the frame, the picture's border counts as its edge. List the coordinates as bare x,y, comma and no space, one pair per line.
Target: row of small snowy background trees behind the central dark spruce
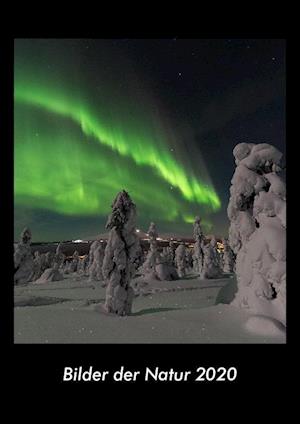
169,264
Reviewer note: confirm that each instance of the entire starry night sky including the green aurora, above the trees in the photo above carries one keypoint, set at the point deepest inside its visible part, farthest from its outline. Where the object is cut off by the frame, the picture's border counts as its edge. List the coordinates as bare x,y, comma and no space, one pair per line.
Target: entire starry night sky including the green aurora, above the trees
158,118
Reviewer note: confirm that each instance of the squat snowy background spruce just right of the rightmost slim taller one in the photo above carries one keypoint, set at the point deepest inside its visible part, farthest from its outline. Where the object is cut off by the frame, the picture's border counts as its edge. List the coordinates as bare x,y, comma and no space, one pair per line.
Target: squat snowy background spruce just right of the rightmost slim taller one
211,260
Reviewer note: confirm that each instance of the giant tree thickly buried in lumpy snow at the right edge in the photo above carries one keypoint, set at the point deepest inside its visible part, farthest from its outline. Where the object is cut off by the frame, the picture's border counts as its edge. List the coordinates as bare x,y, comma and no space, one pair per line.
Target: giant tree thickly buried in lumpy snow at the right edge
257,233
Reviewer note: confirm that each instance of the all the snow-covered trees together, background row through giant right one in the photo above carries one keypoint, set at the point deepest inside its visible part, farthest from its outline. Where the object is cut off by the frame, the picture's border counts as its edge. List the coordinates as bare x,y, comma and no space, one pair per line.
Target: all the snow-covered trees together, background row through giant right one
255,250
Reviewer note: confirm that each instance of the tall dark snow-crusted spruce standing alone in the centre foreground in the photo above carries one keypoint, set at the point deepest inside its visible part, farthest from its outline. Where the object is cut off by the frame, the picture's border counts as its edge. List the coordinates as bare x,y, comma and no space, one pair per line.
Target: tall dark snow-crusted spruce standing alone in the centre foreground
120,253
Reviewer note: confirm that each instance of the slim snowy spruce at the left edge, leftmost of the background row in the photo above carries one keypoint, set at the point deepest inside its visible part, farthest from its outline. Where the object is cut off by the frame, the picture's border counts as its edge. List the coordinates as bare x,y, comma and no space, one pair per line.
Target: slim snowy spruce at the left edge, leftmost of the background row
23,260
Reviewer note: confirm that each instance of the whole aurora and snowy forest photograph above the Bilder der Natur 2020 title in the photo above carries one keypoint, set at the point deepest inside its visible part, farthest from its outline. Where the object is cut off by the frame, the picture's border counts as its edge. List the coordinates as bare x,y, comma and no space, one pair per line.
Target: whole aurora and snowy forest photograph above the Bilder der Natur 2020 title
149,191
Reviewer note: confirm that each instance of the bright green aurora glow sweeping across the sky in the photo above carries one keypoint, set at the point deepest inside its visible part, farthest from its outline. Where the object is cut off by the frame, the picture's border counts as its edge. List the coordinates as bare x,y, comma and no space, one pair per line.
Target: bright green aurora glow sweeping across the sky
73,155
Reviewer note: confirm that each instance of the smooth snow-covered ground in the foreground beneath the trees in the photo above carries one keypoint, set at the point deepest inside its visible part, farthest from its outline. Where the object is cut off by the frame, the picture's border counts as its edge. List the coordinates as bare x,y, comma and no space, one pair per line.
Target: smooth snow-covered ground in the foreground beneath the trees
183,311
